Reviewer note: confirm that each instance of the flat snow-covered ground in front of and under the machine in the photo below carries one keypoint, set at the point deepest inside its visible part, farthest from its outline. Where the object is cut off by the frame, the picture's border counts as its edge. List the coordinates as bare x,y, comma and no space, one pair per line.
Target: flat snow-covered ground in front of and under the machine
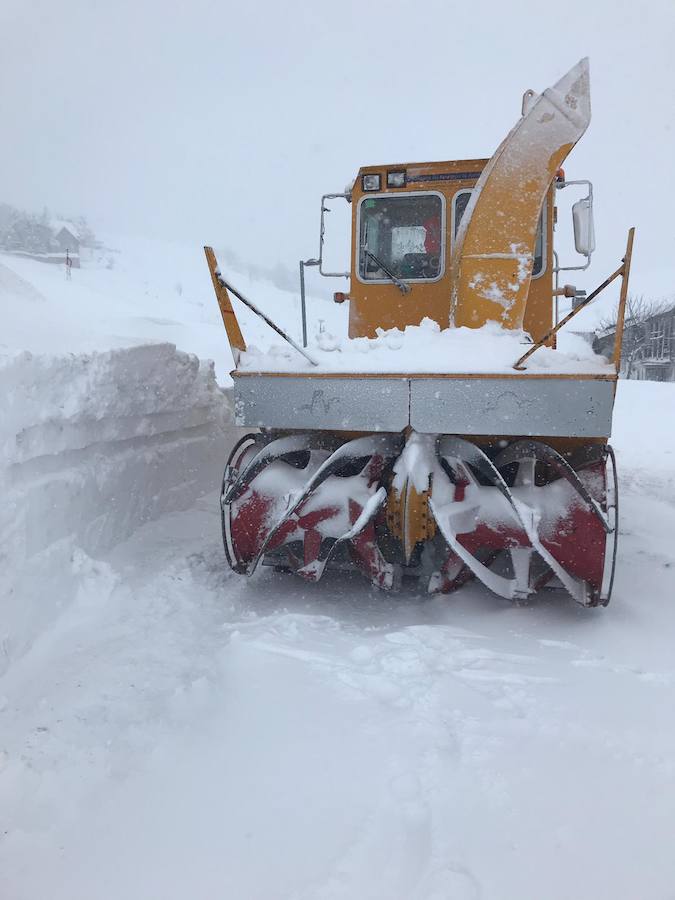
184,733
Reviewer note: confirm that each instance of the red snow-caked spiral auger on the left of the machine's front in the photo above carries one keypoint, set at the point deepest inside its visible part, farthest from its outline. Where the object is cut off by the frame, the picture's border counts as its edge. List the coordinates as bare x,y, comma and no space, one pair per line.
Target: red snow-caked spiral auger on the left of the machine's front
289,496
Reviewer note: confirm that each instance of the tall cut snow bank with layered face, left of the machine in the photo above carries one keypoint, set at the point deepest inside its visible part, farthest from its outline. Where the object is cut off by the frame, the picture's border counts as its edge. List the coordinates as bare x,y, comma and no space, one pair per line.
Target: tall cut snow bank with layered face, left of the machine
91,447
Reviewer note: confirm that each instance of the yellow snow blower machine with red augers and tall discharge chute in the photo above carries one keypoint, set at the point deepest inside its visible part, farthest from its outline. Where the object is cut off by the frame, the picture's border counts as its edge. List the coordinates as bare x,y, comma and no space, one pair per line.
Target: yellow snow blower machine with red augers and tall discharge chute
446,464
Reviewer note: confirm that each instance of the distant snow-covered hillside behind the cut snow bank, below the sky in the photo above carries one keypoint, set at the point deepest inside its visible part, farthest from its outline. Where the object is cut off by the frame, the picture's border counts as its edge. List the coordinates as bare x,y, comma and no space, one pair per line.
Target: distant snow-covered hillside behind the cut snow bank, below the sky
146,291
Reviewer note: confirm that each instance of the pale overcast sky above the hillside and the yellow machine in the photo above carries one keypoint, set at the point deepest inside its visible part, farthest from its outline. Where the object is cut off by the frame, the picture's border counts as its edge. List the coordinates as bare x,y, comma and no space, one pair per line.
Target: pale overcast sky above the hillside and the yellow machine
224,122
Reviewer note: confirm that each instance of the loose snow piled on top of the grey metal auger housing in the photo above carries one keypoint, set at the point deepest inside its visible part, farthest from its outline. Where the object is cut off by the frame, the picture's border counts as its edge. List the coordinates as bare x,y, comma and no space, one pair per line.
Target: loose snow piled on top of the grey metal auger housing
428,348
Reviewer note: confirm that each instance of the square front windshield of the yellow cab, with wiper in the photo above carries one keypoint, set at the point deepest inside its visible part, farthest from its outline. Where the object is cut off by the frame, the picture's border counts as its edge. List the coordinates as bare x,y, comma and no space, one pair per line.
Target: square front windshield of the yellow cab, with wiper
402,234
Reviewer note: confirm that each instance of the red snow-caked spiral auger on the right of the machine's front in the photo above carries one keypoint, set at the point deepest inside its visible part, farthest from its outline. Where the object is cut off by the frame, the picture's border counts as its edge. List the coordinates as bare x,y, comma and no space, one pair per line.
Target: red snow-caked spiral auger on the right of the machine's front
564,526
